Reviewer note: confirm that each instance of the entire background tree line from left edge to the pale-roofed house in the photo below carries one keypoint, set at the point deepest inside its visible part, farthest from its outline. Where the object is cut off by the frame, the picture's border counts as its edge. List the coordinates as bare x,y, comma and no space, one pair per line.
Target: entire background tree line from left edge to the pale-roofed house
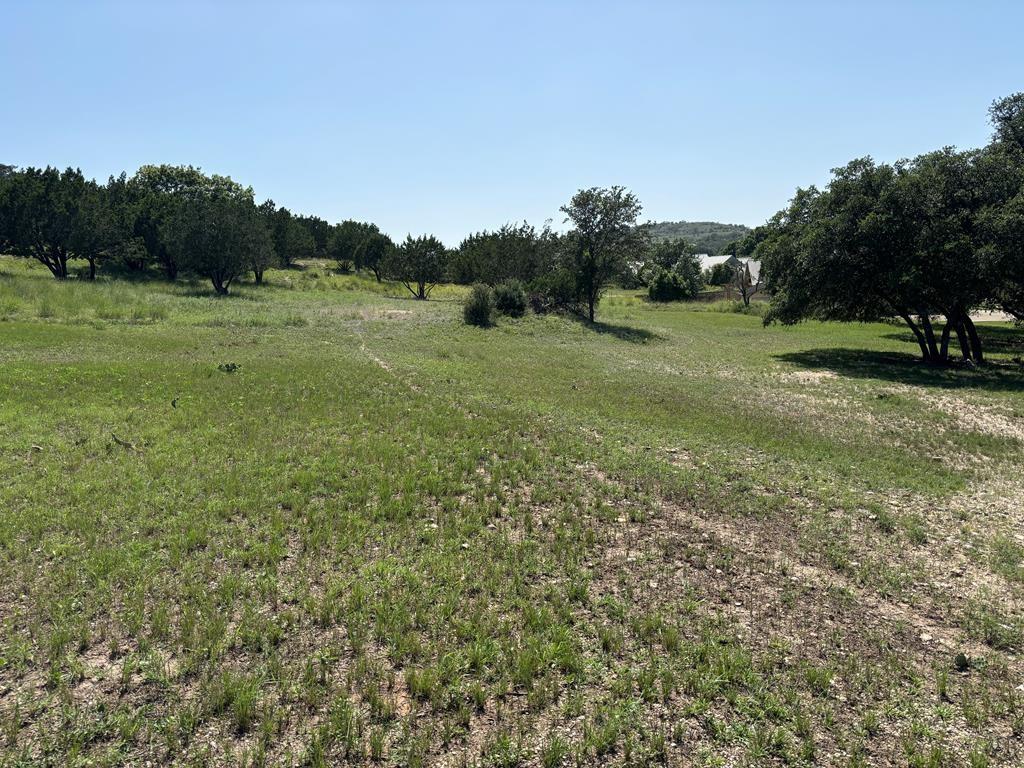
174,221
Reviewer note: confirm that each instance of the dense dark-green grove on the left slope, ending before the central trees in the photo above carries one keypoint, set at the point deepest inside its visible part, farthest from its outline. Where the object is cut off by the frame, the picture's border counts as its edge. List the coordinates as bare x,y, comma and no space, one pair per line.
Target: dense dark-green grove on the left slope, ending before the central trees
168,220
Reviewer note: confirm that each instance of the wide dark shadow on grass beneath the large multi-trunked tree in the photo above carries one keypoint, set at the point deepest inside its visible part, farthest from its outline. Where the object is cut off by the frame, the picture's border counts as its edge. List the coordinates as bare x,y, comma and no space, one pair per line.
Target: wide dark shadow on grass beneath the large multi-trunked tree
908,369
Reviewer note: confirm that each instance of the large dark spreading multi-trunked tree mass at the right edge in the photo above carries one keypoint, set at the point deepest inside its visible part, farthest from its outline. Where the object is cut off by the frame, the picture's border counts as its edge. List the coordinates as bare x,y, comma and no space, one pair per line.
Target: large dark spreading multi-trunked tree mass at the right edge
937,237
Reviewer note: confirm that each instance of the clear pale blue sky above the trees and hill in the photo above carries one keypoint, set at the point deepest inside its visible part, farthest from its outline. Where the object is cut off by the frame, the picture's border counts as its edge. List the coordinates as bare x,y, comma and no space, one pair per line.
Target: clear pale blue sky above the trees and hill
452,117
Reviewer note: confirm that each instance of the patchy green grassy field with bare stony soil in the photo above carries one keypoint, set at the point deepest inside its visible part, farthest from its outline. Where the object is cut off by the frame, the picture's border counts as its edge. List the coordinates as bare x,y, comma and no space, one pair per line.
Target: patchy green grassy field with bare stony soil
320,524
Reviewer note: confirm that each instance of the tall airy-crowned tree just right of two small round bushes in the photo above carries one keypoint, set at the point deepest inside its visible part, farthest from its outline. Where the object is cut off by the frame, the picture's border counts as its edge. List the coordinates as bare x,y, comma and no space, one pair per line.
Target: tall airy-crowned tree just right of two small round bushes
605,236
